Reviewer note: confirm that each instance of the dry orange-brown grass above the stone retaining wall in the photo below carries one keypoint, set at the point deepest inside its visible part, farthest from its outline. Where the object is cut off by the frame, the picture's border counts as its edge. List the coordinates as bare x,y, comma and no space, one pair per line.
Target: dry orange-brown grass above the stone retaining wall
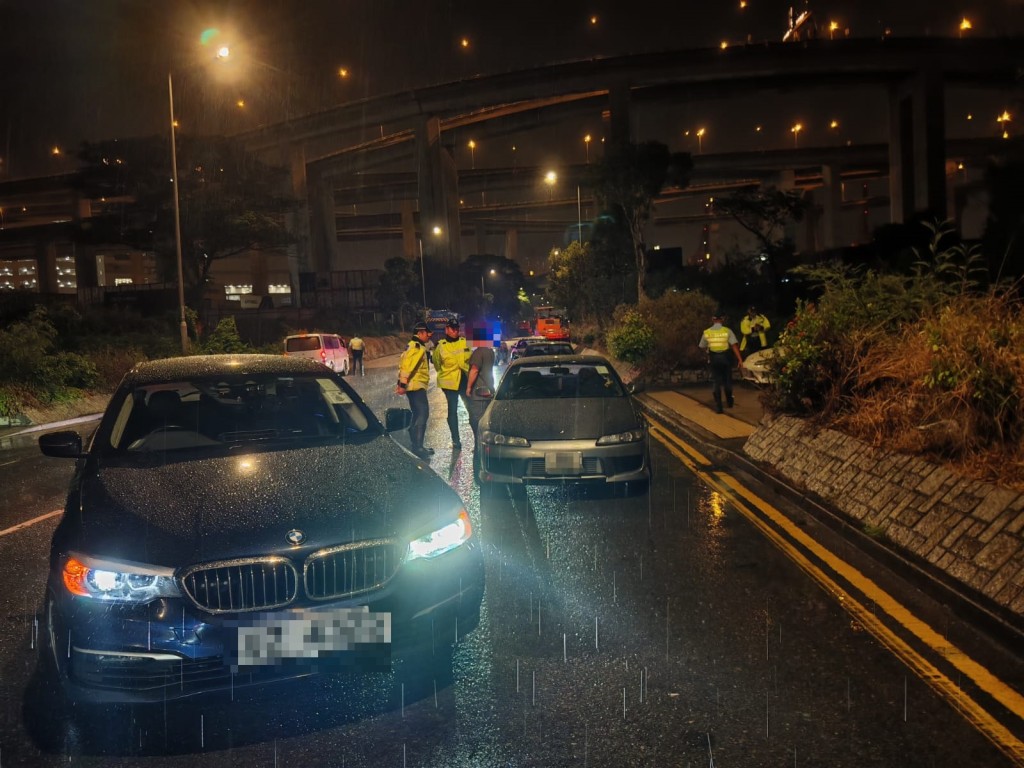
951,390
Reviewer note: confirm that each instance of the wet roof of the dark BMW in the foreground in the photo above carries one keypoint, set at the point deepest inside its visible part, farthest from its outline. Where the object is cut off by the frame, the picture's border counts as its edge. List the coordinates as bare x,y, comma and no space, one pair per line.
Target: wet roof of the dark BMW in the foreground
209,366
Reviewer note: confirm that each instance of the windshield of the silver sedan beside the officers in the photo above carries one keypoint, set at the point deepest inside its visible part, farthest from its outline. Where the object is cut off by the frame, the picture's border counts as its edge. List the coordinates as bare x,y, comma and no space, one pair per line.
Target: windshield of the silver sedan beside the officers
562,381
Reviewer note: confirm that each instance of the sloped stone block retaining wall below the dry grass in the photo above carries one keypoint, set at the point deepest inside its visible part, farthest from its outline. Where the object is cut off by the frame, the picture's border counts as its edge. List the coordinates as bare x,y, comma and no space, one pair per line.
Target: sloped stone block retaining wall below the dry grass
972,531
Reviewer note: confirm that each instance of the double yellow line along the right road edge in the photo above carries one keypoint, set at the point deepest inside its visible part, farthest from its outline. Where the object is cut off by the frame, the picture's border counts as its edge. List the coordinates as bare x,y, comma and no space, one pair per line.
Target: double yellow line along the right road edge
800,548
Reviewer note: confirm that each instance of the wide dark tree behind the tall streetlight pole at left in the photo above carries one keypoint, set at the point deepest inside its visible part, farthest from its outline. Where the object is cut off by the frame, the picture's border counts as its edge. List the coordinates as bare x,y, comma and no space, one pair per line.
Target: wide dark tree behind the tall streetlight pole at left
230,203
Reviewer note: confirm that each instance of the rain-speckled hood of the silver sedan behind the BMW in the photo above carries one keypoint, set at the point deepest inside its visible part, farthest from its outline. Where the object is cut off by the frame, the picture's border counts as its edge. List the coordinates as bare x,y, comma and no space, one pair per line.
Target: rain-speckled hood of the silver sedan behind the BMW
562,419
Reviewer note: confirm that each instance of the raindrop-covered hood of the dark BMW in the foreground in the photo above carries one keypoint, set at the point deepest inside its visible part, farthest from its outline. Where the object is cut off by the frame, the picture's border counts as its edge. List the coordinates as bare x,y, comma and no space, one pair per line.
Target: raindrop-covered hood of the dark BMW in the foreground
182,513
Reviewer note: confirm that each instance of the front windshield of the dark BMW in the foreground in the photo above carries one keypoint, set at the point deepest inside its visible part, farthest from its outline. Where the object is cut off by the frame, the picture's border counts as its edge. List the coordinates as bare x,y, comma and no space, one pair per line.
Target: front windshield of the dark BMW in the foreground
199,413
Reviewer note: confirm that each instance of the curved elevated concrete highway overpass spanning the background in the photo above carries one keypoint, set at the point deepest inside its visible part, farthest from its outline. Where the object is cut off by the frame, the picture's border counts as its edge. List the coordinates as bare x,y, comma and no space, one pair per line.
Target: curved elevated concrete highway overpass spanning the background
399,150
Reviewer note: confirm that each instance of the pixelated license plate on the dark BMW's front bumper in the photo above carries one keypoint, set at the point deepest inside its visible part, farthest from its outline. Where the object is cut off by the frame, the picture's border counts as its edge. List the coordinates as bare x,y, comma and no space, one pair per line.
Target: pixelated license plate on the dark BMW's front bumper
308,636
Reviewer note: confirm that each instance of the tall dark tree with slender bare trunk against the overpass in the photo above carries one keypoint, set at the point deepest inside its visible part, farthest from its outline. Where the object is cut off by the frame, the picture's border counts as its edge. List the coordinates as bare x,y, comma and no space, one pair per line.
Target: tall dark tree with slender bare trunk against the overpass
628,181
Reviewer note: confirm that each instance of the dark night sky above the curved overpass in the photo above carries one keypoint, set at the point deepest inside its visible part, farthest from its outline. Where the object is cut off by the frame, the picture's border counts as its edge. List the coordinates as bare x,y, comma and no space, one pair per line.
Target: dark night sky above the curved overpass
87,70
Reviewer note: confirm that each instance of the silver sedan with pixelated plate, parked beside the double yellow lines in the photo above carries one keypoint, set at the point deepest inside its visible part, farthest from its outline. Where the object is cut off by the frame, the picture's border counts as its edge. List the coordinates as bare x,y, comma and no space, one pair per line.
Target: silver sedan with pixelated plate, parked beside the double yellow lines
560,419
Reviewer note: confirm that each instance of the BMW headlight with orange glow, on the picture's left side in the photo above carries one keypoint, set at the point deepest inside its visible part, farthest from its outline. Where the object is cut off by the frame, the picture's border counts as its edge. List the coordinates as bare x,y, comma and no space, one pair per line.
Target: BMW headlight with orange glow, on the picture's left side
116,581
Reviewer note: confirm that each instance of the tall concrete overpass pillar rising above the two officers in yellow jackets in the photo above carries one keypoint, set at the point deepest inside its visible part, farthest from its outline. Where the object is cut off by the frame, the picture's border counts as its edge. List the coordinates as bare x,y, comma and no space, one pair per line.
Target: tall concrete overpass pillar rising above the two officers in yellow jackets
439,191
